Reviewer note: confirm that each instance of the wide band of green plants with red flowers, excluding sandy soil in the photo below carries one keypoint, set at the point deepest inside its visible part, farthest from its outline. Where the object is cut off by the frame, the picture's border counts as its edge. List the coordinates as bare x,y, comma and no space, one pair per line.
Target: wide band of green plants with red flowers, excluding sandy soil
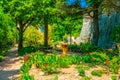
51,63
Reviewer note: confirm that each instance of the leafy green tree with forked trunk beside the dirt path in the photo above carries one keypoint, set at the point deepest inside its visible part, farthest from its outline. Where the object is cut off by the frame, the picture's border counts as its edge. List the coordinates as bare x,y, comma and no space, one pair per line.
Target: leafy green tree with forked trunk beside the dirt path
23,13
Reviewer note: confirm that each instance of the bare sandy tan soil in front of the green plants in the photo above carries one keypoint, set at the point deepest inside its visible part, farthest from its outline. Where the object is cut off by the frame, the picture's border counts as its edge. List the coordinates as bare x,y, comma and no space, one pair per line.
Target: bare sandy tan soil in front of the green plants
70,73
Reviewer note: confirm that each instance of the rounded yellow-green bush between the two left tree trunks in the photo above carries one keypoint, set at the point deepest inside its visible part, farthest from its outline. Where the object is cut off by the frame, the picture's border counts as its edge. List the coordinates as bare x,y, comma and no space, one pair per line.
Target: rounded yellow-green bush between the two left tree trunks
33,36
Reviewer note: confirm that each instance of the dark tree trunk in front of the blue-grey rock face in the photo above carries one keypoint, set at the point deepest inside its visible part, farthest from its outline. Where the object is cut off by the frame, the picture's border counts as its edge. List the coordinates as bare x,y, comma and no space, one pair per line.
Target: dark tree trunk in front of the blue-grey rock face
96,25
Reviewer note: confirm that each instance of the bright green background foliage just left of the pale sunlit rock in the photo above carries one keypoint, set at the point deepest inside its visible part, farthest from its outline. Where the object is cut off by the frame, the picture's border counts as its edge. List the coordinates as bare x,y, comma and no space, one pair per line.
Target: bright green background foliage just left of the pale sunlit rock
63,28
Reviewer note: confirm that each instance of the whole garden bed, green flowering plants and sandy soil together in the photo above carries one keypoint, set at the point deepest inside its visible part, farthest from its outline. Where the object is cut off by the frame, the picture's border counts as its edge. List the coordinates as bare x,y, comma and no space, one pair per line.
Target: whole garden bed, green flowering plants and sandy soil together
95,66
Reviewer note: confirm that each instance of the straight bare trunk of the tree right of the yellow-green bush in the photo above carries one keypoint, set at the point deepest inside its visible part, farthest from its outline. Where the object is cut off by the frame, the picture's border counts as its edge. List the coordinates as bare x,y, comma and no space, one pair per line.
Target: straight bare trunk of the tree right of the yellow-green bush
46,32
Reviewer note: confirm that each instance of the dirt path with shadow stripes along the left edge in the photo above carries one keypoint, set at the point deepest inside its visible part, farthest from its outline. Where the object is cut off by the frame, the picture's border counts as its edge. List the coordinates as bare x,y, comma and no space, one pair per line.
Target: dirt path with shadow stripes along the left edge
10,66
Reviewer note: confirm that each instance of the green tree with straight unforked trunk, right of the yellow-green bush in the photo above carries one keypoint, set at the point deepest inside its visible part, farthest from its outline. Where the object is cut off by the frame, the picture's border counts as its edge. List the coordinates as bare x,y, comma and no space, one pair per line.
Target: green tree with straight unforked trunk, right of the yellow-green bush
49,9
